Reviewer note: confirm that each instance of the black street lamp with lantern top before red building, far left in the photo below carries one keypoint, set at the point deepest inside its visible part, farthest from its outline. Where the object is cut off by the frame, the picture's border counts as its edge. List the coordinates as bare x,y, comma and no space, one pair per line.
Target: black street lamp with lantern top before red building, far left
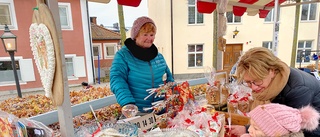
9,41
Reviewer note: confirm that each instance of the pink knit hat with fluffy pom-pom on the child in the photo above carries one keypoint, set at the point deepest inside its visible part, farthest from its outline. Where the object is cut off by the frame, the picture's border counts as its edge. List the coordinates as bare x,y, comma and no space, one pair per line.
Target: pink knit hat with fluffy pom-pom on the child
277,120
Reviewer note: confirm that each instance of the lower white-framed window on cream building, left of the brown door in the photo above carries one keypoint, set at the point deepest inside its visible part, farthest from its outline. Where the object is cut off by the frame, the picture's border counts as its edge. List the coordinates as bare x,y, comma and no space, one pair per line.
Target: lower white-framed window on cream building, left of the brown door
195,55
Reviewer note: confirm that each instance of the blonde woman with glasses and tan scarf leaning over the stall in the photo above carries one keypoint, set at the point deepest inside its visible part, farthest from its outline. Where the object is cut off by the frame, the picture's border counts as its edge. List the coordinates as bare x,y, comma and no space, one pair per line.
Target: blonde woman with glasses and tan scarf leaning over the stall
273,81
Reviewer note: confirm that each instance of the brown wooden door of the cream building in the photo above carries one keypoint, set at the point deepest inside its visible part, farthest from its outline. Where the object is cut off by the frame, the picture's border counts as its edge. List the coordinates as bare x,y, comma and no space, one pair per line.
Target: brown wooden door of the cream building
231,55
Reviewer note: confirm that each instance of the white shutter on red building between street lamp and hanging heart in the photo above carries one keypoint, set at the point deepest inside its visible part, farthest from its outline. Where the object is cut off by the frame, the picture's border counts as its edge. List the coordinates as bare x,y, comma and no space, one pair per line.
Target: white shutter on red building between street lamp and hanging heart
26,70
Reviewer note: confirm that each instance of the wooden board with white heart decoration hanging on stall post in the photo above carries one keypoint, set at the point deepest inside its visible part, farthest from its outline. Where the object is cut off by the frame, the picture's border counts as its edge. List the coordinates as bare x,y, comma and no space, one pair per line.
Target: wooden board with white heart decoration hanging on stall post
44,40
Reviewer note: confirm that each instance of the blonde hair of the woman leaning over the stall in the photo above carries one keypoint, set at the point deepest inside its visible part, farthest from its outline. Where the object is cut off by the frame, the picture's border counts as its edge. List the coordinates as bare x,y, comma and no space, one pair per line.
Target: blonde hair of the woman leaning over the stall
257,62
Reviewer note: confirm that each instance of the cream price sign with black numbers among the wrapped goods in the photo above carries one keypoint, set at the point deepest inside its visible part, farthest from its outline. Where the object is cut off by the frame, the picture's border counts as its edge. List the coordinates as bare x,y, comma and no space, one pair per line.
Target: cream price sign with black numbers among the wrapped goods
145,122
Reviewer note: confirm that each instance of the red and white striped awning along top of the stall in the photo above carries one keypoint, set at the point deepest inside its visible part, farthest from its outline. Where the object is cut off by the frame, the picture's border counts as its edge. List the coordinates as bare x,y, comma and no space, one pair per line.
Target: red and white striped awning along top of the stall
239,7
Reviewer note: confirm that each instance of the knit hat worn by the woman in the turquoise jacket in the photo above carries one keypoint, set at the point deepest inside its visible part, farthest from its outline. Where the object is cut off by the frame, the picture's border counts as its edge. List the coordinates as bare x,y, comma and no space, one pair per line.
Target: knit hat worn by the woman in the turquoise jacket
137,24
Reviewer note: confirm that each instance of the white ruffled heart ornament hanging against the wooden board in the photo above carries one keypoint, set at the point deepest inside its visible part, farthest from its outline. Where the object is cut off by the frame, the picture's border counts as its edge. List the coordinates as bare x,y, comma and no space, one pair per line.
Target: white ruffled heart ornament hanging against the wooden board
43,52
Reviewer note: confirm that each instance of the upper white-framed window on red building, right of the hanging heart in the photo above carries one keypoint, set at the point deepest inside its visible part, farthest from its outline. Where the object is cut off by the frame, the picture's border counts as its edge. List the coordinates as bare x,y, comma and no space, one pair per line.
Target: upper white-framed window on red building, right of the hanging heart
65,16
